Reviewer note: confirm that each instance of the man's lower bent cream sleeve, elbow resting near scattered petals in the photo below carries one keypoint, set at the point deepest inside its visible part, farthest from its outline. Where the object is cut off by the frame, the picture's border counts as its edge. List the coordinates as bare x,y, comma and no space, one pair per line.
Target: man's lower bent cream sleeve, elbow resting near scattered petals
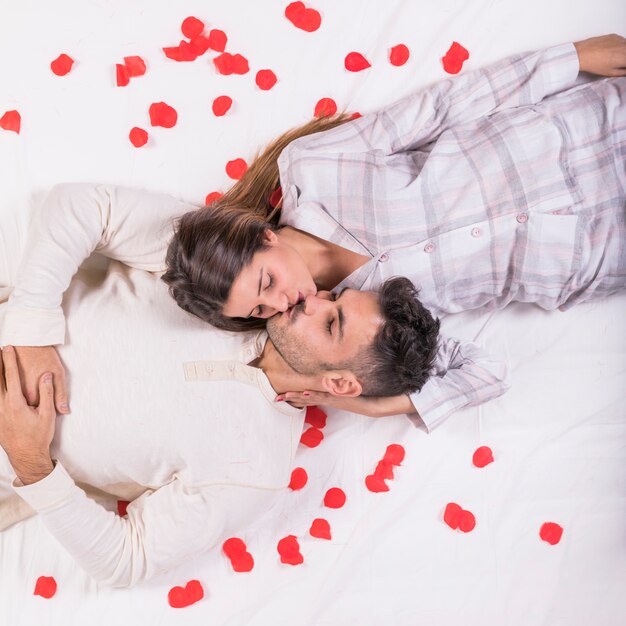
164,527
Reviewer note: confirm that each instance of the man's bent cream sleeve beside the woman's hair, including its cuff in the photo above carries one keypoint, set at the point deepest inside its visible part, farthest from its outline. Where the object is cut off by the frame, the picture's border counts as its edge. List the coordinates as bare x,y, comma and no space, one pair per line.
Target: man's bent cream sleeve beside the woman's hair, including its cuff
127,225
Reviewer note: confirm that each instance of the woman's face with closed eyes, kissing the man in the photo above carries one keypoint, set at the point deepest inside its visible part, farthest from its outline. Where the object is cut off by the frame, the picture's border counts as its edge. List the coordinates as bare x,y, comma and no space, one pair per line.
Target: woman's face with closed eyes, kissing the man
275,279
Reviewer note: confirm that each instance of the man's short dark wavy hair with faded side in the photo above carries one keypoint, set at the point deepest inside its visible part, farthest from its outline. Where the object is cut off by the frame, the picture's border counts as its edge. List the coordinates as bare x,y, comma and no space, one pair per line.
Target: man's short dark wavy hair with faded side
401,358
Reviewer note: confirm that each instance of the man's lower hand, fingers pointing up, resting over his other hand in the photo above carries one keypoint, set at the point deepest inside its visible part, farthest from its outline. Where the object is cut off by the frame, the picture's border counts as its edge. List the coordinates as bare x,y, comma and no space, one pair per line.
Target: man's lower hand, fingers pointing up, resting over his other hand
25,432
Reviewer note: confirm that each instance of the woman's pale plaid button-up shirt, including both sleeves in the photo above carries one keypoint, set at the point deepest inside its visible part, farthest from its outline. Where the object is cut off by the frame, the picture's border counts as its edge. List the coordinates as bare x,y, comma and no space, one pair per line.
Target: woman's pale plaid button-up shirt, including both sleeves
503,184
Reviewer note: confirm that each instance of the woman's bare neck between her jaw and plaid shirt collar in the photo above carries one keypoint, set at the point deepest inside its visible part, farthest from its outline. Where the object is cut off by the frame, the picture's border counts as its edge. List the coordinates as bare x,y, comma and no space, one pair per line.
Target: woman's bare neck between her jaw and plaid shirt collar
328,263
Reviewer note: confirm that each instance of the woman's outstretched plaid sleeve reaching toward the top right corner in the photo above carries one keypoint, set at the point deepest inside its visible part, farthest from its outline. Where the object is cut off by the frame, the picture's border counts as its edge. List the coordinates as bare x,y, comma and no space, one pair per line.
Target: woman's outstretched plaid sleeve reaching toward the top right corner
421,117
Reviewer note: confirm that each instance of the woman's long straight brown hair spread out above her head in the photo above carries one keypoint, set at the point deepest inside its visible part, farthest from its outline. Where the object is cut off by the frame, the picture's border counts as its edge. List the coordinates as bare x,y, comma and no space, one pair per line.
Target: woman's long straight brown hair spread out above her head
212,245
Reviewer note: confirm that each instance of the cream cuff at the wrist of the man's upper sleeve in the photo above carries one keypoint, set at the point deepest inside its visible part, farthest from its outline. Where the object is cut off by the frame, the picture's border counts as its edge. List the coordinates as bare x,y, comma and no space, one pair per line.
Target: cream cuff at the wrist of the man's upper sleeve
33,327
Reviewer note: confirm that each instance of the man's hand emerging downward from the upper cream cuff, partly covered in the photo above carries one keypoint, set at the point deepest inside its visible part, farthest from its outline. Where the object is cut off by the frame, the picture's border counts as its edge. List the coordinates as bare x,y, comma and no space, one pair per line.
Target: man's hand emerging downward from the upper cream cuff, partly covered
32,362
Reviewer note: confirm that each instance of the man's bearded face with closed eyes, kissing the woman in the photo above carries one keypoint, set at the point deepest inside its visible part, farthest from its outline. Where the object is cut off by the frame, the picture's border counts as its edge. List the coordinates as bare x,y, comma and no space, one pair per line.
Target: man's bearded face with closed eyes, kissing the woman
324,331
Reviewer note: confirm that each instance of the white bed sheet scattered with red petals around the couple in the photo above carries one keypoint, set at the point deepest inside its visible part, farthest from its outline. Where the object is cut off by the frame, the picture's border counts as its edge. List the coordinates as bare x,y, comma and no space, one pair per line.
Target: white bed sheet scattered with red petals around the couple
557,437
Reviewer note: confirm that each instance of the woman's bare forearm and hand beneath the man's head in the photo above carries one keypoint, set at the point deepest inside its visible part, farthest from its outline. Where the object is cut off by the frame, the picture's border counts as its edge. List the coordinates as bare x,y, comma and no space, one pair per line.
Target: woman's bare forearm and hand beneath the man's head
372,407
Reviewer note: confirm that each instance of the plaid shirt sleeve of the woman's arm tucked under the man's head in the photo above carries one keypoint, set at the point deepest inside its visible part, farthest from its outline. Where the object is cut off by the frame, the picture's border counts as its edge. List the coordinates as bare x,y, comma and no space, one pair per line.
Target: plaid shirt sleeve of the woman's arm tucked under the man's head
463,376
